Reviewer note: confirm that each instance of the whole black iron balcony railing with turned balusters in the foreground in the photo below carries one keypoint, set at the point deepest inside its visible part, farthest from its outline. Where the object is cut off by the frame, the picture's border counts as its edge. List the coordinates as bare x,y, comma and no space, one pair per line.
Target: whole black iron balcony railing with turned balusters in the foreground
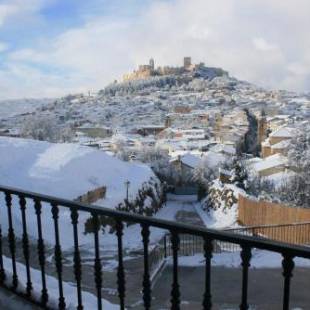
246,243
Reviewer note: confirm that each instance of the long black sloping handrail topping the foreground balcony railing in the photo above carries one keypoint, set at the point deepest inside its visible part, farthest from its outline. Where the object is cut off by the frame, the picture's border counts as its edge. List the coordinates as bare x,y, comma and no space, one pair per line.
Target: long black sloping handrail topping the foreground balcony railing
242,240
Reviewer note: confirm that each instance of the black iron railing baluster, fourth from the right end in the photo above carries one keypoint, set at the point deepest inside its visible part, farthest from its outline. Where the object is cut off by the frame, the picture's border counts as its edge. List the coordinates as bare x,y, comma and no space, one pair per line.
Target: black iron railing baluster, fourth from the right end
175,292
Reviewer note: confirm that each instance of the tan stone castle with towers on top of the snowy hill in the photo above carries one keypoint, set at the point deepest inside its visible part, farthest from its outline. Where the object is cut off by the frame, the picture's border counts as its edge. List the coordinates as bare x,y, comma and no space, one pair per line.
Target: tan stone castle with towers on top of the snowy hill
145,71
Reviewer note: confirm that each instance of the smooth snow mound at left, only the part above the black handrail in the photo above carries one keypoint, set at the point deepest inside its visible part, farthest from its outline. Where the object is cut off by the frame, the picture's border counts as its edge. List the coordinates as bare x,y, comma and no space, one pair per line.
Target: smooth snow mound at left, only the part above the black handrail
67,170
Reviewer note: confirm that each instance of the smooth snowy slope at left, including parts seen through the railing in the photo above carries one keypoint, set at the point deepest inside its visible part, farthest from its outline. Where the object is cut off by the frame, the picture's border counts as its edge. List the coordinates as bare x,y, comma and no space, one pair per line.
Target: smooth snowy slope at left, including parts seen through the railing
66,171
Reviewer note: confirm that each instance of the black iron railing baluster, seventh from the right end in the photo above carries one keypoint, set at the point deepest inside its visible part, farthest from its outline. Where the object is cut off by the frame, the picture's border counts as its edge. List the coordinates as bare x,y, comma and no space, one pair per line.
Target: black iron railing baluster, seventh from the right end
97,265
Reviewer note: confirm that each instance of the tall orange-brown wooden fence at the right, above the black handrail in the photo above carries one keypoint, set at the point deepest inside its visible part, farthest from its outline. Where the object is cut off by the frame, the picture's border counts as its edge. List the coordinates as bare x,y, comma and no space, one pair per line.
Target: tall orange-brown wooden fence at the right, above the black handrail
288,224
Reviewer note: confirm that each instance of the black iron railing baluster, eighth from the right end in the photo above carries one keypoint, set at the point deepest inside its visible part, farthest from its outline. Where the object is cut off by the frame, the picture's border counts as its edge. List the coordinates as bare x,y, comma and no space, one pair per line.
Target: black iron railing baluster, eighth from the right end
77,258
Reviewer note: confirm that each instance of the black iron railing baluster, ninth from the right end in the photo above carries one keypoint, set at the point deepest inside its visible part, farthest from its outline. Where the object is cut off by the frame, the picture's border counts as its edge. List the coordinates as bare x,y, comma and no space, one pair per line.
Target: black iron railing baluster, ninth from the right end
58,257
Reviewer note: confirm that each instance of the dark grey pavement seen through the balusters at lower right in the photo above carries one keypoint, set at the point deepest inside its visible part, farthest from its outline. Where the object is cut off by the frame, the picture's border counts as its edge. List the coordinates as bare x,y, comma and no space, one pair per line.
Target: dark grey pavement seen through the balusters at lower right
265,288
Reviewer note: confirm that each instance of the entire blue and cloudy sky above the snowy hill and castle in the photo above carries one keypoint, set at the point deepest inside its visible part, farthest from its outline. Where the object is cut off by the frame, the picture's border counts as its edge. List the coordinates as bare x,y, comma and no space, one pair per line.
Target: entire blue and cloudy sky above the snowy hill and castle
49,48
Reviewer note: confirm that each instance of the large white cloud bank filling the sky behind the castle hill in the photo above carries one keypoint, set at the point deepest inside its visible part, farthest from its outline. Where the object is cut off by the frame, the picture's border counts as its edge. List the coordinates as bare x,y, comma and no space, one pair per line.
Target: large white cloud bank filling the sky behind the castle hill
260,41
